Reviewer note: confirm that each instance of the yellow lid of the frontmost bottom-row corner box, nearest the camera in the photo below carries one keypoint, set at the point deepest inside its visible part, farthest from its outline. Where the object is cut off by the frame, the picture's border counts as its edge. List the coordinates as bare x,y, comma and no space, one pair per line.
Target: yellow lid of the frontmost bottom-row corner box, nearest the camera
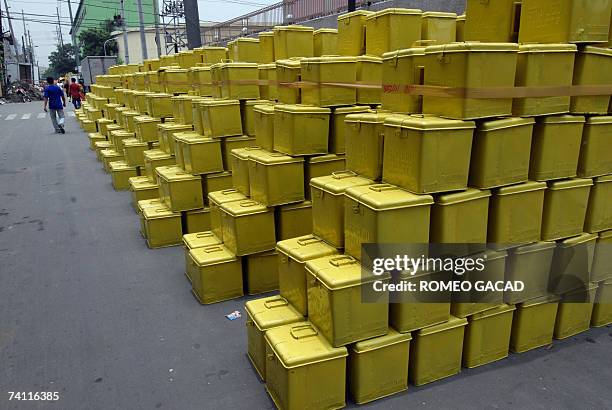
300,344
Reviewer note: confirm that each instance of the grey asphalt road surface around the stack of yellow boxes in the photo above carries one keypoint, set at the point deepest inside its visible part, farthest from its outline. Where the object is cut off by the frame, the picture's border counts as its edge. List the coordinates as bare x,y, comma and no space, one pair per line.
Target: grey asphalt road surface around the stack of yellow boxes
88,311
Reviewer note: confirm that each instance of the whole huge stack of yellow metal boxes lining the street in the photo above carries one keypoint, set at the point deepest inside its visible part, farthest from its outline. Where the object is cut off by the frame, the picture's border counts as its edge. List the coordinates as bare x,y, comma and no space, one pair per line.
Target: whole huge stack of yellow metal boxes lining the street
282,156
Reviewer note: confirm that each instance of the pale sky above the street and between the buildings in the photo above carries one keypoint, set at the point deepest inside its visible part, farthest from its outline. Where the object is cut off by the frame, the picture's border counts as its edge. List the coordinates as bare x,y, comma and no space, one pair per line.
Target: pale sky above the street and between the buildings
41,18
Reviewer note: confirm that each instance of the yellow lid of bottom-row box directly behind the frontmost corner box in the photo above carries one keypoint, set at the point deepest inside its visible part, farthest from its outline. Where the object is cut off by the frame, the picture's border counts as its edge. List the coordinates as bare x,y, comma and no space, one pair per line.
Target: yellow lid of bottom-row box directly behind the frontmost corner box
272,311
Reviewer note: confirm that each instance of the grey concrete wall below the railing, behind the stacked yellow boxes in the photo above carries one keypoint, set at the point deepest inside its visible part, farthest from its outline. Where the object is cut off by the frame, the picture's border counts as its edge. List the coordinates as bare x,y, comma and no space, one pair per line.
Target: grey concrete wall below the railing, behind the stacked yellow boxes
453,6
